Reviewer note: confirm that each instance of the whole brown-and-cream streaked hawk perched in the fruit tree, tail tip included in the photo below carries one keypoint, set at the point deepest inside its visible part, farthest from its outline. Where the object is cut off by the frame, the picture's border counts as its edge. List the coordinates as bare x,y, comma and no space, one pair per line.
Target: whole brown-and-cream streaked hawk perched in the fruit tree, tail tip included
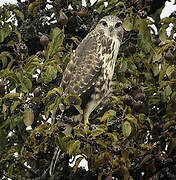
91,68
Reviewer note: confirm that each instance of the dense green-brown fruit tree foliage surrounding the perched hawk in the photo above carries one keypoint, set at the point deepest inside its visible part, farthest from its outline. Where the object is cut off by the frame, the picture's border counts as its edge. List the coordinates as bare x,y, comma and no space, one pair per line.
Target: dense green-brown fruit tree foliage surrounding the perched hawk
132,135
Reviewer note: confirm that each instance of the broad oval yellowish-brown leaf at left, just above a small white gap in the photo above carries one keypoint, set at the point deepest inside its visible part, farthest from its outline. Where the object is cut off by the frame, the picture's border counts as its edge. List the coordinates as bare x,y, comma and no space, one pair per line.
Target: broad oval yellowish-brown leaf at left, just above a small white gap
28,117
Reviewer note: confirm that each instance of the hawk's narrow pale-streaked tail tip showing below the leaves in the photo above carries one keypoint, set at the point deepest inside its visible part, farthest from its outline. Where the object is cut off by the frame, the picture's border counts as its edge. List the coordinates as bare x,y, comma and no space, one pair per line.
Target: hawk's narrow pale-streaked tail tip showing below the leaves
54,160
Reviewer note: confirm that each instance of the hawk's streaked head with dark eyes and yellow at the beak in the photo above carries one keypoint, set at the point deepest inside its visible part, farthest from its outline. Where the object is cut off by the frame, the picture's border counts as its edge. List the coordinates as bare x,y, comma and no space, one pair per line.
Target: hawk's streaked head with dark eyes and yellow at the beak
111,26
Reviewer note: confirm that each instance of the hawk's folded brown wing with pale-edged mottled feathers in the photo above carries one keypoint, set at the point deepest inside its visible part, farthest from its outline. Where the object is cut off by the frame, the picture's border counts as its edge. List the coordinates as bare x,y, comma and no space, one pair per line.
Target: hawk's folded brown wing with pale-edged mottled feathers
84,67
